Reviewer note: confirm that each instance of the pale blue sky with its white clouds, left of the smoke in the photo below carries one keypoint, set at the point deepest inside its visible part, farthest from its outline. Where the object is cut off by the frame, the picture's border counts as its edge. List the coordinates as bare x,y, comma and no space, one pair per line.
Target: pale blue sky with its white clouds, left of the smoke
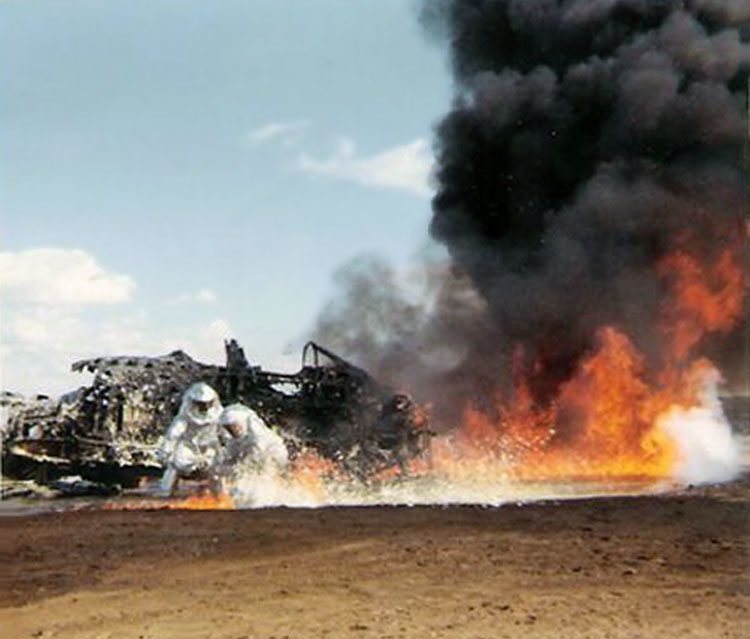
173,172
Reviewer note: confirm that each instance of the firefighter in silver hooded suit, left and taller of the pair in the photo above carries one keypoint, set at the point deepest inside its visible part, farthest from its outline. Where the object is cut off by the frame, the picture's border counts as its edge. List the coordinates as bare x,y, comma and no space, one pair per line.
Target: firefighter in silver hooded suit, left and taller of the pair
191,448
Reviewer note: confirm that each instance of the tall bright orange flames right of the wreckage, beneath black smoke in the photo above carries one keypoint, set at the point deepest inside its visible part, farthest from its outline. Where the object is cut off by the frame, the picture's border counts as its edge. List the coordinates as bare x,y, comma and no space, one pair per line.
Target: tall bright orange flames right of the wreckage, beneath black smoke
606,421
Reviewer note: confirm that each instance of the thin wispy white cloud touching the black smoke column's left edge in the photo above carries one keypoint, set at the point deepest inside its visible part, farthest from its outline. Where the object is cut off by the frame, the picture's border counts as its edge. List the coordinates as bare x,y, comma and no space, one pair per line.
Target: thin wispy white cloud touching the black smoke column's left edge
406,167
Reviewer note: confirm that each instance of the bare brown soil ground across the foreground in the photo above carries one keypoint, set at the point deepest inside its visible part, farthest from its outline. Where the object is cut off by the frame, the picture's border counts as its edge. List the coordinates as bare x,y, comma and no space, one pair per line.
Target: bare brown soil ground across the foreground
672,566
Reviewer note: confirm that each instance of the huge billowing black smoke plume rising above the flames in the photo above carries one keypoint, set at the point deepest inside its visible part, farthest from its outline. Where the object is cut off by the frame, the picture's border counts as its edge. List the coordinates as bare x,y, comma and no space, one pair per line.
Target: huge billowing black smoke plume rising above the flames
587,139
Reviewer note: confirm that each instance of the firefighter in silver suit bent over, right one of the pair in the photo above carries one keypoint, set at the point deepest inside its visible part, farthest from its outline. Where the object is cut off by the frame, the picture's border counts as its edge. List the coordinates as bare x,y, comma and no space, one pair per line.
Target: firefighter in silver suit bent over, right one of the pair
247,441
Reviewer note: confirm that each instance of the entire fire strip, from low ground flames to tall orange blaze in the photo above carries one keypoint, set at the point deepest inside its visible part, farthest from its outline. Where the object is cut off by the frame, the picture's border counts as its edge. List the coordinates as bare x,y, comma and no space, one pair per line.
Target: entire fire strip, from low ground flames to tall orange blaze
618,421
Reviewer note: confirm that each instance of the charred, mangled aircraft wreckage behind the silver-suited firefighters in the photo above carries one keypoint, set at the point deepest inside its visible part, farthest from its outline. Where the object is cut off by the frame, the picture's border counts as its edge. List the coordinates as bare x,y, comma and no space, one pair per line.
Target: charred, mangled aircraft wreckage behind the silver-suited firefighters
109,432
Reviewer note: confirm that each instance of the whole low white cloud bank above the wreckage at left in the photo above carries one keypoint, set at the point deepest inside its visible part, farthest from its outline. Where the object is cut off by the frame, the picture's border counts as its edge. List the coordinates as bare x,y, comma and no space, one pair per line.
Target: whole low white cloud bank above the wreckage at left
60,305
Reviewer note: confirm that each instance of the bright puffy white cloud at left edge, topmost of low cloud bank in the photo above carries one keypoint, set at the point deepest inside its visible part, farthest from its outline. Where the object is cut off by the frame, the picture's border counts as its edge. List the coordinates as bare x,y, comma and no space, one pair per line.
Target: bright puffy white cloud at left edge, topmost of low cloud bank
53,276
